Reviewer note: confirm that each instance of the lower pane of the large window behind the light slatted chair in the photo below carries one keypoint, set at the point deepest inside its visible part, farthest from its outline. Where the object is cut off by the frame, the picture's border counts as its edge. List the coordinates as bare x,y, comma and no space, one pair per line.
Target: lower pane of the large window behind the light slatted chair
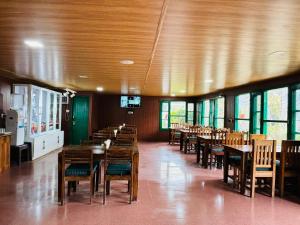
276,131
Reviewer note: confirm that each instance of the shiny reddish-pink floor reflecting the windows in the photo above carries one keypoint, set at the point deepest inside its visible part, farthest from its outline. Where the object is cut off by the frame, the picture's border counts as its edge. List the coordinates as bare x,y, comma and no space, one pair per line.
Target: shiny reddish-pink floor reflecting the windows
172,190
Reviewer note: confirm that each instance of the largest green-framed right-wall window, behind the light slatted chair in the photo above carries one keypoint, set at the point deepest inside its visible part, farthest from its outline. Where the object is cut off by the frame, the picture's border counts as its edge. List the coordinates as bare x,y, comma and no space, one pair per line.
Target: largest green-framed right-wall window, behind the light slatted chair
276,113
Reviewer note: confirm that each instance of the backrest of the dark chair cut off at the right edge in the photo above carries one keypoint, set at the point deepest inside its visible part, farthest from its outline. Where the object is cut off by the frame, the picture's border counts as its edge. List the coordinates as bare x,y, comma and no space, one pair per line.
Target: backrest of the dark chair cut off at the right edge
290,154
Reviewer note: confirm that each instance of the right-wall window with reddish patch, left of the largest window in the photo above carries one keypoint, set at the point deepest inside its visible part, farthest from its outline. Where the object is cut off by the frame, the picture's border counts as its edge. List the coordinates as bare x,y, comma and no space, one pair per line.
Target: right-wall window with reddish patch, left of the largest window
242,112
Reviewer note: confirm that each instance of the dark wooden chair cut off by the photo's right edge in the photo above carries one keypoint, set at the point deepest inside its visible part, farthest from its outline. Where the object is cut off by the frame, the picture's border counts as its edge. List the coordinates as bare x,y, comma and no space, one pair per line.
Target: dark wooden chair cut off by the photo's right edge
289,166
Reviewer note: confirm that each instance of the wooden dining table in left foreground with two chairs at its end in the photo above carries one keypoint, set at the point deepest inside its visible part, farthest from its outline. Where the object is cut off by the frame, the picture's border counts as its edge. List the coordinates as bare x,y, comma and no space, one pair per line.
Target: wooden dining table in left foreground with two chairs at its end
98,154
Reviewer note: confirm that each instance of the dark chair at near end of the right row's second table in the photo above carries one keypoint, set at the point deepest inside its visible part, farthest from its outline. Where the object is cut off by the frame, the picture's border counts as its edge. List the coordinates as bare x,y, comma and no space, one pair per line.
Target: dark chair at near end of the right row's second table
216,147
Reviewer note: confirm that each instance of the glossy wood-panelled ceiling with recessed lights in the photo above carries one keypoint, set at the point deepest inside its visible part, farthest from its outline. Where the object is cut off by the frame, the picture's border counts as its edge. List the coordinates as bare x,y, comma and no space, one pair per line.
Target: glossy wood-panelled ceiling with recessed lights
188,47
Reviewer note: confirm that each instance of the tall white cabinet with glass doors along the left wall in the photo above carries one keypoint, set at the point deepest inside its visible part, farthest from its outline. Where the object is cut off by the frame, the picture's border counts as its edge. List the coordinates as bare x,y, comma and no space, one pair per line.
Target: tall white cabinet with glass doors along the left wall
43,124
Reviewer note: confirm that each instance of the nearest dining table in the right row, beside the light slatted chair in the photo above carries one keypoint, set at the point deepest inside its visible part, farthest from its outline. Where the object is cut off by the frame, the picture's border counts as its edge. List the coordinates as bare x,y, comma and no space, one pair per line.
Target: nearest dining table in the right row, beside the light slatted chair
242,151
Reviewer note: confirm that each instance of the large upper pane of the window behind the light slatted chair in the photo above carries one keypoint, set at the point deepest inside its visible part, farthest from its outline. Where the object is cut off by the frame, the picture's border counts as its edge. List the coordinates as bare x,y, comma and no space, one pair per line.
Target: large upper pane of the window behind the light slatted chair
276,104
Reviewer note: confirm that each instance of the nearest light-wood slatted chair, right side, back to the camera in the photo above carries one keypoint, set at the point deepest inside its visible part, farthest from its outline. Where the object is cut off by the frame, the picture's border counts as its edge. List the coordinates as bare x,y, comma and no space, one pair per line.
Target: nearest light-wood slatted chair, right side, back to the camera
263,164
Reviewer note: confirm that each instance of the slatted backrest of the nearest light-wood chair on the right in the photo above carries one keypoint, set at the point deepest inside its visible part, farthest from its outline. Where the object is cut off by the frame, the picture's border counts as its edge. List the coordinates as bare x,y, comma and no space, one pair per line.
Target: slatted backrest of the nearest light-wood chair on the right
264,154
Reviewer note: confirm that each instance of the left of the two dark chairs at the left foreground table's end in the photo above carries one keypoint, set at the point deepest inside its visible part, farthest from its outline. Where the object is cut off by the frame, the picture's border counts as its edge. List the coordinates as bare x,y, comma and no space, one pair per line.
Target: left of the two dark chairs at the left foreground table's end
78,165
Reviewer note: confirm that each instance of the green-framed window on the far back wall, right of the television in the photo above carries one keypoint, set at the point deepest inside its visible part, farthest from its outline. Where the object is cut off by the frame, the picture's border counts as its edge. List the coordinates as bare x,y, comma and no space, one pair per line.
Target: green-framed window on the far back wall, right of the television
172,112
